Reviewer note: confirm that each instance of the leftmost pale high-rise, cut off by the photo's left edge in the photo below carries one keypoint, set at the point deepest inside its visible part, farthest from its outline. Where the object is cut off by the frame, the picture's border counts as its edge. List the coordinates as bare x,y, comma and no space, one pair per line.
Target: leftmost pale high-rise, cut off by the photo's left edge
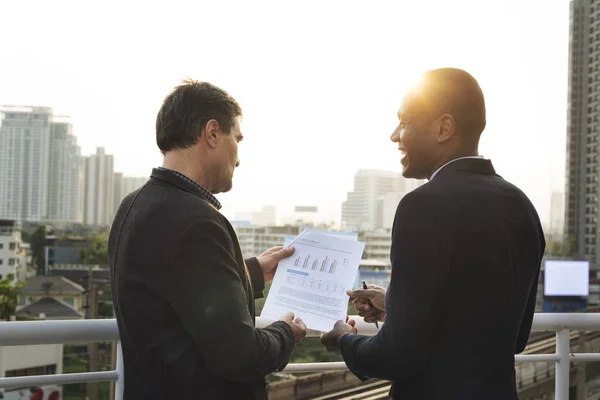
24,151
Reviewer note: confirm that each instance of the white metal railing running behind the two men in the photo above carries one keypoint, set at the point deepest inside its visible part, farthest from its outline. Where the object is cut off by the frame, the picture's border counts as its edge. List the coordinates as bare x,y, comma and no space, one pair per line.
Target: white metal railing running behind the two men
105,330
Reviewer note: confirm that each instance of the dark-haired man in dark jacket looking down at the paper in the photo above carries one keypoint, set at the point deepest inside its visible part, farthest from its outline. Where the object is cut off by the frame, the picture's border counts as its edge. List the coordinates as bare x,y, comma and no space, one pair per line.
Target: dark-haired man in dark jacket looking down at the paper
183,294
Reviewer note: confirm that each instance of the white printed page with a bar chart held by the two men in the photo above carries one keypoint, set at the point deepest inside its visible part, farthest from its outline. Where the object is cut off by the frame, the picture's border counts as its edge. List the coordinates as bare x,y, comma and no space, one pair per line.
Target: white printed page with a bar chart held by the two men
313,281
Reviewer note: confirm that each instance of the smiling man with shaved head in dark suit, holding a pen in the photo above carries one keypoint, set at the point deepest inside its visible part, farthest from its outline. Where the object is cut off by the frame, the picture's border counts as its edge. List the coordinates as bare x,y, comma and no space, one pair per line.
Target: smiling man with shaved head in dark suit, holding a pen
466,254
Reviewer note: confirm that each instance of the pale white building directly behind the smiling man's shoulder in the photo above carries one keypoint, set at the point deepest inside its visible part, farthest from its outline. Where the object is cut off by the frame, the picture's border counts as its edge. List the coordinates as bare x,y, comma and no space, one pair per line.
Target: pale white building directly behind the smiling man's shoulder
375,191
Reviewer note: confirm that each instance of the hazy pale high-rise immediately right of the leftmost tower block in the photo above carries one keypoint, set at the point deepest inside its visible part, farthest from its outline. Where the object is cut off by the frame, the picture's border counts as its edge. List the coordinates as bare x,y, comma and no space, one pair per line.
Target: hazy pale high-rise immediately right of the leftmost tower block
65,174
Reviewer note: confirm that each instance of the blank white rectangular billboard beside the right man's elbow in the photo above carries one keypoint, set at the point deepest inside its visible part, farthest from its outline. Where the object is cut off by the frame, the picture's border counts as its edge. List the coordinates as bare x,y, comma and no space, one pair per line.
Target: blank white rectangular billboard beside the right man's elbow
566,278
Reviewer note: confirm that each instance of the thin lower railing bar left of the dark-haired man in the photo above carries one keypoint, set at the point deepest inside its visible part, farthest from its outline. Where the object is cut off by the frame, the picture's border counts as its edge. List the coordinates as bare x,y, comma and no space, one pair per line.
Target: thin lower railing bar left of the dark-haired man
59,379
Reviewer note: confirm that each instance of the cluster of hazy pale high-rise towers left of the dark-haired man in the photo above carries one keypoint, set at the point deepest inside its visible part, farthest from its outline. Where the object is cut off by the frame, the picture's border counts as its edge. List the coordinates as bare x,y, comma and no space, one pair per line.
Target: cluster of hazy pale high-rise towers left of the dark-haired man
44,178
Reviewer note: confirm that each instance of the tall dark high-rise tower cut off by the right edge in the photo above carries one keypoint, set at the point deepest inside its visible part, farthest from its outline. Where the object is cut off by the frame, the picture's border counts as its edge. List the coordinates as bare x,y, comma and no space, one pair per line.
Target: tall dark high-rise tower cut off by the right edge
583,131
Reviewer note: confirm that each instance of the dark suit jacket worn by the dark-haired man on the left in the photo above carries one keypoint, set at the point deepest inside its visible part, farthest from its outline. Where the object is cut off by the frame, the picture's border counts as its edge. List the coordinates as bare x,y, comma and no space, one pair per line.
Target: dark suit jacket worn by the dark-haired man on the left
183,300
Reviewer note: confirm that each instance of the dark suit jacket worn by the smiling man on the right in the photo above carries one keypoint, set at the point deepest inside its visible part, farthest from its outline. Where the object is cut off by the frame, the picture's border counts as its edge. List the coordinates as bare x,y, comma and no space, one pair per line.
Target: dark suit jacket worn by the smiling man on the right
466,254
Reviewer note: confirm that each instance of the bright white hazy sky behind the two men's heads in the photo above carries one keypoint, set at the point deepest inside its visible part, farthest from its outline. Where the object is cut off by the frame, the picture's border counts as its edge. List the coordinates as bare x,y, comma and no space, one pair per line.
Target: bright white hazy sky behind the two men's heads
319,82
